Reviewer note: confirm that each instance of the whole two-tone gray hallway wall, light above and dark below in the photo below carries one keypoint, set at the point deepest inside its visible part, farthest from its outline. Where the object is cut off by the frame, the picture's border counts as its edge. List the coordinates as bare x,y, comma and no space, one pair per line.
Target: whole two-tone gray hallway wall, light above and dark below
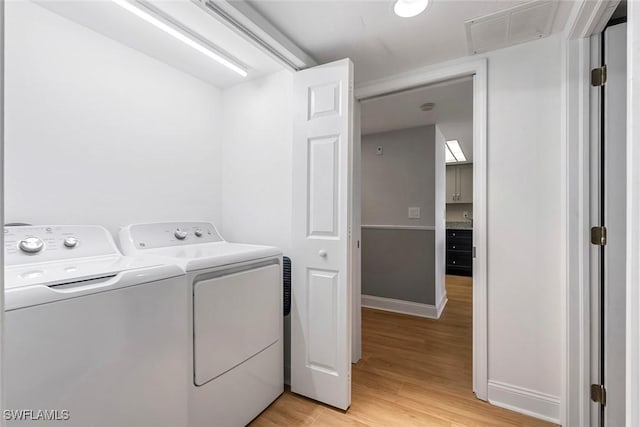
399,263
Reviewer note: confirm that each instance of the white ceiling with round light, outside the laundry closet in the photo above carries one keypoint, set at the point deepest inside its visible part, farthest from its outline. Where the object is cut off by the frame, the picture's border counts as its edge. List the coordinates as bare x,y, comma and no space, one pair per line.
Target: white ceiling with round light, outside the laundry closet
377,41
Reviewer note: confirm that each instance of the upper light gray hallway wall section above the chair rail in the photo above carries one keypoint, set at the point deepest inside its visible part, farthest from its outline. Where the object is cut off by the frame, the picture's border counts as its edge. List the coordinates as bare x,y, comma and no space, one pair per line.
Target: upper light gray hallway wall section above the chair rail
403,176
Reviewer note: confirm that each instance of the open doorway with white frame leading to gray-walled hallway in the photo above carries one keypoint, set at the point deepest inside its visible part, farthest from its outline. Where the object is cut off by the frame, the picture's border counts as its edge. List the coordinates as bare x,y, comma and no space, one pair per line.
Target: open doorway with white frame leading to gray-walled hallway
405,195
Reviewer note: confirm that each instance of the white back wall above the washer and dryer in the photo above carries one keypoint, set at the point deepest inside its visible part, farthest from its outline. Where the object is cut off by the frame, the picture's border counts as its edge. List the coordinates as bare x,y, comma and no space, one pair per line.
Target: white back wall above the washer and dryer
98,133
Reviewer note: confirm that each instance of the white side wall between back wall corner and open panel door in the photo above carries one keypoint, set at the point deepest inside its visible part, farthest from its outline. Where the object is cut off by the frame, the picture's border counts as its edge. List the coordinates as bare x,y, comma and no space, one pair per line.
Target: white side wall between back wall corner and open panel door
257,177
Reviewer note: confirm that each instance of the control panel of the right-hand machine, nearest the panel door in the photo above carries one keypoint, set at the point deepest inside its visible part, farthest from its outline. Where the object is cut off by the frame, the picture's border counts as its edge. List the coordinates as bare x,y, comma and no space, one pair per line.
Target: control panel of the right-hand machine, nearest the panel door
160,235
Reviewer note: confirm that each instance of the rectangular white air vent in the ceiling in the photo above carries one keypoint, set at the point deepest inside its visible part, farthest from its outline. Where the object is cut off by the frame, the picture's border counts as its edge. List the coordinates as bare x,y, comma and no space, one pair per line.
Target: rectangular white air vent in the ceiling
519,24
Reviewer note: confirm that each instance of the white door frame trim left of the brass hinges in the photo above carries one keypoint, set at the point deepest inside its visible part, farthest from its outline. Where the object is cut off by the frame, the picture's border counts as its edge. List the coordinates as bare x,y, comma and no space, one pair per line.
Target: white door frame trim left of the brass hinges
587,18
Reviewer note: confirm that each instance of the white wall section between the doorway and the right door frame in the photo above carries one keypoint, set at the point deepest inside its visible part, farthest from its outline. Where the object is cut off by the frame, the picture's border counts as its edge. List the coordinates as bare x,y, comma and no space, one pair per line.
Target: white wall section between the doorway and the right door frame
525,280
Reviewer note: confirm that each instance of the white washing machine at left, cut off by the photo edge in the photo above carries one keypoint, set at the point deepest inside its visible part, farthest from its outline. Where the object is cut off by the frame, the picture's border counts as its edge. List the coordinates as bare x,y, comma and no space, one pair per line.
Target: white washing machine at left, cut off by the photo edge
92,338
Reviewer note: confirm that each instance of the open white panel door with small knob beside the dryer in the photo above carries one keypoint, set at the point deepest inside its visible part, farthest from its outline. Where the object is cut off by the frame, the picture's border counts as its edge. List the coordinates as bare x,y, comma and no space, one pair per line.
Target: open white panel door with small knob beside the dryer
321,294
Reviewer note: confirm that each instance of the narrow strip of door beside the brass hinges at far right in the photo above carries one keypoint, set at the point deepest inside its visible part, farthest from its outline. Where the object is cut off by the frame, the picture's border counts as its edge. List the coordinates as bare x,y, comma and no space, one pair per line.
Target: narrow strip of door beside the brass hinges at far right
614,197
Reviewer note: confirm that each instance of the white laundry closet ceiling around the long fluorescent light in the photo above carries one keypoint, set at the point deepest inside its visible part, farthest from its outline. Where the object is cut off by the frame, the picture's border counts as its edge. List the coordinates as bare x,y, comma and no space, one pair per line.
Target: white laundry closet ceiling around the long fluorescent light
112,21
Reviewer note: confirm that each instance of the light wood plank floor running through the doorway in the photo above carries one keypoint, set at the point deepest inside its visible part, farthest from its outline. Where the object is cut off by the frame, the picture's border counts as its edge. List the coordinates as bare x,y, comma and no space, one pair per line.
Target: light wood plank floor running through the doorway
413,372
